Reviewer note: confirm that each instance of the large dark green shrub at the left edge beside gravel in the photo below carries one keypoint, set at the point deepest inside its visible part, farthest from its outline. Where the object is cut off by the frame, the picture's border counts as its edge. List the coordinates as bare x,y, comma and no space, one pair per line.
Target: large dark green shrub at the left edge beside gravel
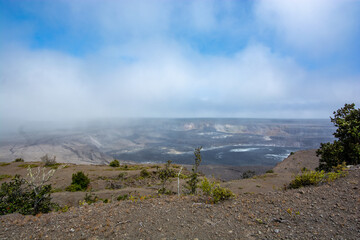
18,196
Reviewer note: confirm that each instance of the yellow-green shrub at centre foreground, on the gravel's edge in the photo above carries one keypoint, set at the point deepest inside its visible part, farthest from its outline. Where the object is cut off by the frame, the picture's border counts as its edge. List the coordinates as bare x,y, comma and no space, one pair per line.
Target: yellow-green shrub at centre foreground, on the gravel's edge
214,192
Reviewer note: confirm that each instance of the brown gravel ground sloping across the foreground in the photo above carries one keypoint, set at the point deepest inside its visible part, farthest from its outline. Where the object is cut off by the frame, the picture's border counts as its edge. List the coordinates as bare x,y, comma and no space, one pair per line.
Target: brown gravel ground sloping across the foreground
329,211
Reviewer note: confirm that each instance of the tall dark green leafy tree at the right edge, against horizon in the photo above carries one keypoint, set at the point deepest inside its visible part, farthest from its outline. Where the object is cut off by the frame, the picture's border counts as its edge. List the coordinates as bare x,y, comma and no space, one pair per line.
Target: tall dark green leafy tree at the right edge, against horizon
346,148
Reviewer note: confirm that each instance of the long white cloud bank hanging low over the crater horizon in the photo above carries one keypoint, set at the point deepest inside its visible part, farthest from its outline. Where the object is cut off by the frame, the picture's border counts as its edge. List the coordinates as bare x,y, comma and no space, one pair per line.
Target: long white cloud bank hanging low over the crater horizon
164,79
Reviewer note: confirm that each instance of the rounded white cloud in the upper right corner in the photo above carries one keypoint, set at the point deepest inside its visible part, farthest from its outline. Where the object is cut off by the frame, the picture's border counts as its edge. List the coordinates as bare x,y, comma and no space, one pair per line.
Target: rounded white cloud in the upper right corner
317,27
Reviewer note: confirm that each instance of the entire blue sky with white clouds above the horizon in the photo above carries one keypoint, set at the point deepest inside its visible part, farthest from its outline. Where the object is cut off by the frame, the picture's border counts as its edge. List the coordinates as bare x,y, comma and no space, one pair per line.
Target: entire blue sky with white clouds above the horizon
79,60
